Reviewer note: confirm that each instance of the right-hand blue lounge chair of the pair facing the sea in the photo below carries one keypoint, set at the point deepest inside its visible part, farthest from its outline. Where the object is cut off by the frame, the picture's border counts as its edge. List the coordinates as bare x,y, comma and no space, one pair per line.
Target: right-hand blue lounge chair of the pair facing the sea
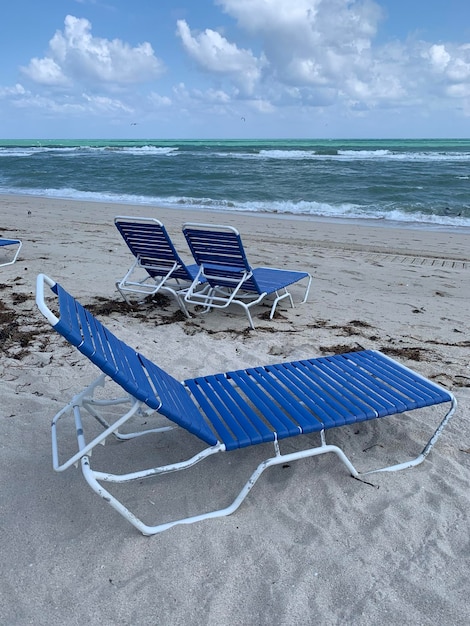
218,251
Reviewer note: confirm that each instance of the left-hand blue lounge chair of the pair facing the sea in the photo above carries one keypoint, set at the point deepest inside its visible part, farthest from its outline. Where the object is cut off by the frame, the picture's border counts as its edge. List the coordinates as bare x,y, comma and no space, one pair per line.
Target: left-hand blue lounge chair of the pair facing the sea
157,265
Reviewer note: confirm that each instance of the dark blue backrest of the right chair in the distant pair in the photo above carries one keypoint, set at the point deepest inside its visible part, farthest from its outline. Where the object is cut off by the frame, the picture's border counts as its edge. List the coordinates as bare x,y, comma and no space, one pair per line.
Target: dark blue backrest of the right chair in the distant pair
219,250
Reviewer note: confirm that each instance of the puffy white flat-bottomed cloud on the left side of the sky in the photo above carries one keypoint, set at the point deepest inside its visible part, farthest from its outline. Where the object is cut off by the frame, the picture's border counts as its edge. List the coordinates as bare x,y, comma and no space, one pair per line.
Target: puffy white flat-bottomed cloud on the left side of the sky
77,57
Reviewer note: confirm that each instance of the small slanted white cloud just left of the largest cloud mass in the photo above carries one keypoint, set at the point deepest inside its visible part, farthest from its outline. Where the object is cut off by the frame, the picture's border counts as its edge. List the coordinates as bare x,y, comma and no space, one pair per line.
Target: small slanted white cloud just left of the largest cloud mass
215,54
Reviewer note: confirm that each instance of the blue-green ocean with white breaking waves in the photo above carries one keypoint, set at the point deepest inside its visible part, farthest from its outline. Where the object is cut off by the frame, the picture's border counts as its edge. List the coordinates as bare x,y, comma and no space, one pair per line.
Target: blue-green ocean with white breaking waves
417,182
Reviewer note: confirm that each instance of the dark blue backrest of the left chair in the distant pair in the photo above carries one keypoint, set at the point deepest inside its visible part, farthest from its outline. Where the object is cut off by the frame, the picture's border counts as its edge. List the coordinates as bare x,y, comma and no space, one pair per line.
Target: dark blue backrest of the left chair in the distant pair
150,243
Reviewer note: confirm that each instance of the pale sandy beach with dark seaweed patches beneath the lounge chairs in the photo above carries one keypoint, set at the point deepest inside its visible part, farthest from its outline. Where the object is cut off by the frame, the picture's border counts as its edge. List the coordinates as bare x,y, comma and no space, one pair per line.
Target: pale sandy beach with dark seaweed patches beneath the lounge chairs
310,545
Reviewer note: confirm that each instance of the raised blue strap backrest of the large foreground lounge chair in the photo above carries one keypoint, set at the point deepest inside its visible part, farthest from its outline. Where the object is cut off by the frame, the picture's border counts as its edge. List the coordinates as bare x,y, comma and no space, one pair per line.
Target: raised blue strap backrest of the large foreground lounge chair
131,370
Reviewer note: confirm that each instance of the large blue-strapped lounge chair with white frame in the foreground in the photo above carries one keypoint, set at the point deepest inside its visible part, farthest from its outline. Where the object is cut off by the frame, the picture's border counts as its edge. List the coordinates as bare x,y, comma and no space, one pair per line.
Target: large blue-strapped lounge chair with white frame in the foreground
247,407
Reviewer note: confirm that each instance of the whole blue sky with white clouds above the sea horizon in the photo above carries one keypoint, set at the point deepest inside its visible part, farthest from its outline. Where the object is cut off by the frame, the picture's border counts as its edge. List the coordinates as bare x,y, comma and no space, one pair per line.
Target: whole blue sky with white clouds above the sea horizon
234,69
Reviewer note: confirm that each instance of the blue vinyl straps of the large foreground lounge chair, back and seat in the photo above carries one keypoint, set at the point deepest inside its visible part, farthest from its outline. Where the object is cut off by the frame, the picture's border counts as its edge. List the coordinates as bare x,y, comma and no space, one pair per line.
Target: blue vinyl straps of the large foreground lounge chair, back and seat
254,405
